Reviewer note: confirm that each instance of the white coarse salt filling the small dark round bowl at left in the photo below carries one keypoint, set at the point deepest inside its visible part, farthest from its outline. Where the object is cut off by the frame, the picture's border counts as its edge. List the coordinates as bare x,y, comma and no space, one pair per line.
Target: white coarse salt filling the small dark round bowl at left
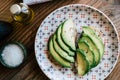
12,55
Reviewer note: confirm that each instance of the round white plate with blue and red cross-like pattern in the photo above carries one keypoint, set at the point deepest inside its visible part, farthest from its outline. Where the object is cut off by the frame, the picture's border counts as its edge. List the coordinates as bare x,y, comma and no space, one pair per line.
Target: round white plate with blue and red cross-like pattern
82,15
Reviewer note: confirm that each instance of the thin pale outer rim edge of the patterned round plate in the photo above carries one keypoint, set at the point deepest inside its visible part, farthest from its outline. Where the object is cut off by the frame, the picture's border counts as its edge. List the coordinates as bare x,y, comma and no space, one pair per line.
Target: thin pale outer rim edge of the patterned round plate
116,32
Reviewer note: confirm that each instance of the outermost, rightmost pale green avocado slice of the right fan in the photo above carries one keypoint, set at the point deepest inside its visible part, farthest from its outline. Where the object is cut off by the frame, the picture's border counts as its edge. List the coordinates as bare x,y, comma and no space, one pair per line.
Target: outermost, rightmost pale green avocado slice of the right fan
87,31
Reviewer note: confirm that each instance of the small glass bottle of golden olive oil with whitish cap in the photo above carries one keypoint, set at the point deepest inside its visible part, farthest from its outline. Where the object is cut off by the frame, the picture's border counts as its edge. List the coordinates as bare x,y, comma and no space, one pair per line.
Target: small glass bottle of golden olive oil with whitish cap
21,13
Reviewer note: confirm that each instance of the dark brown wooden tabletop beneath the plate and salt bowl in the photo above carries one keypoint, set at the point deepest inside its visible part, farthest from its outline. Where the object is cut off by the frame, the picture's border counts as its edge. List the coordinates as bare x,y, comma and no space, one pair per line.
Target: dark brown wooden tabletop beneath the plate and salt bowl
30,70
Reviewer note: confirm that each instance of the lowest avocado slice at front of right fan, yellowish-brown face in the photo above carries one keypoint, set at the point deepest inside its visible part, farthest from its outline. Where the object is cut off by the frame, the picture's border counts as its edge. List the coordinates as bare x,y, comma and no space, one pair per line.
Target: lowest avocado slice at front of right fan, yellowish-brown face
82,62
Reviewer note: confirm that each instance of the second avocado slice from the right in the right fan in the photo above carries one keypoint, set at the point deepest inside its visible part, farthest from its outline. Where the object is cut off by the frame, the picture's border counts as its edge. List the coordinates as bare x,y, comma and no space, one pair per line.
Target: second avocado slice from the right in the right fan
94,49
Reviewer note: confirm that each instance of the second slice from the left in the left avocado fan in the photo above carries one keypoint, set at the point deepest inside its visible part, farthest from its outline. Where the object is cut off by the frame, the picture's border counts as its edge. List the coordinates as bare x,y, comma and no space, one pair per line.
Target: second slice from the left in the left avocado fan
61,52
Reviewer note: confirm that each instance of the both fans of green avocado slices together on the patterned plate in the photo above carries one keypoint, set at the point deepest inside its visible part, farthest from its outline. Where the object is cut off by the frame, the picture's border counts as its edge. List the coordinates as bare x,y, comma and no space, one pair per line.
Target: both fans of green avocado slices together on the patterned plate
87,53
